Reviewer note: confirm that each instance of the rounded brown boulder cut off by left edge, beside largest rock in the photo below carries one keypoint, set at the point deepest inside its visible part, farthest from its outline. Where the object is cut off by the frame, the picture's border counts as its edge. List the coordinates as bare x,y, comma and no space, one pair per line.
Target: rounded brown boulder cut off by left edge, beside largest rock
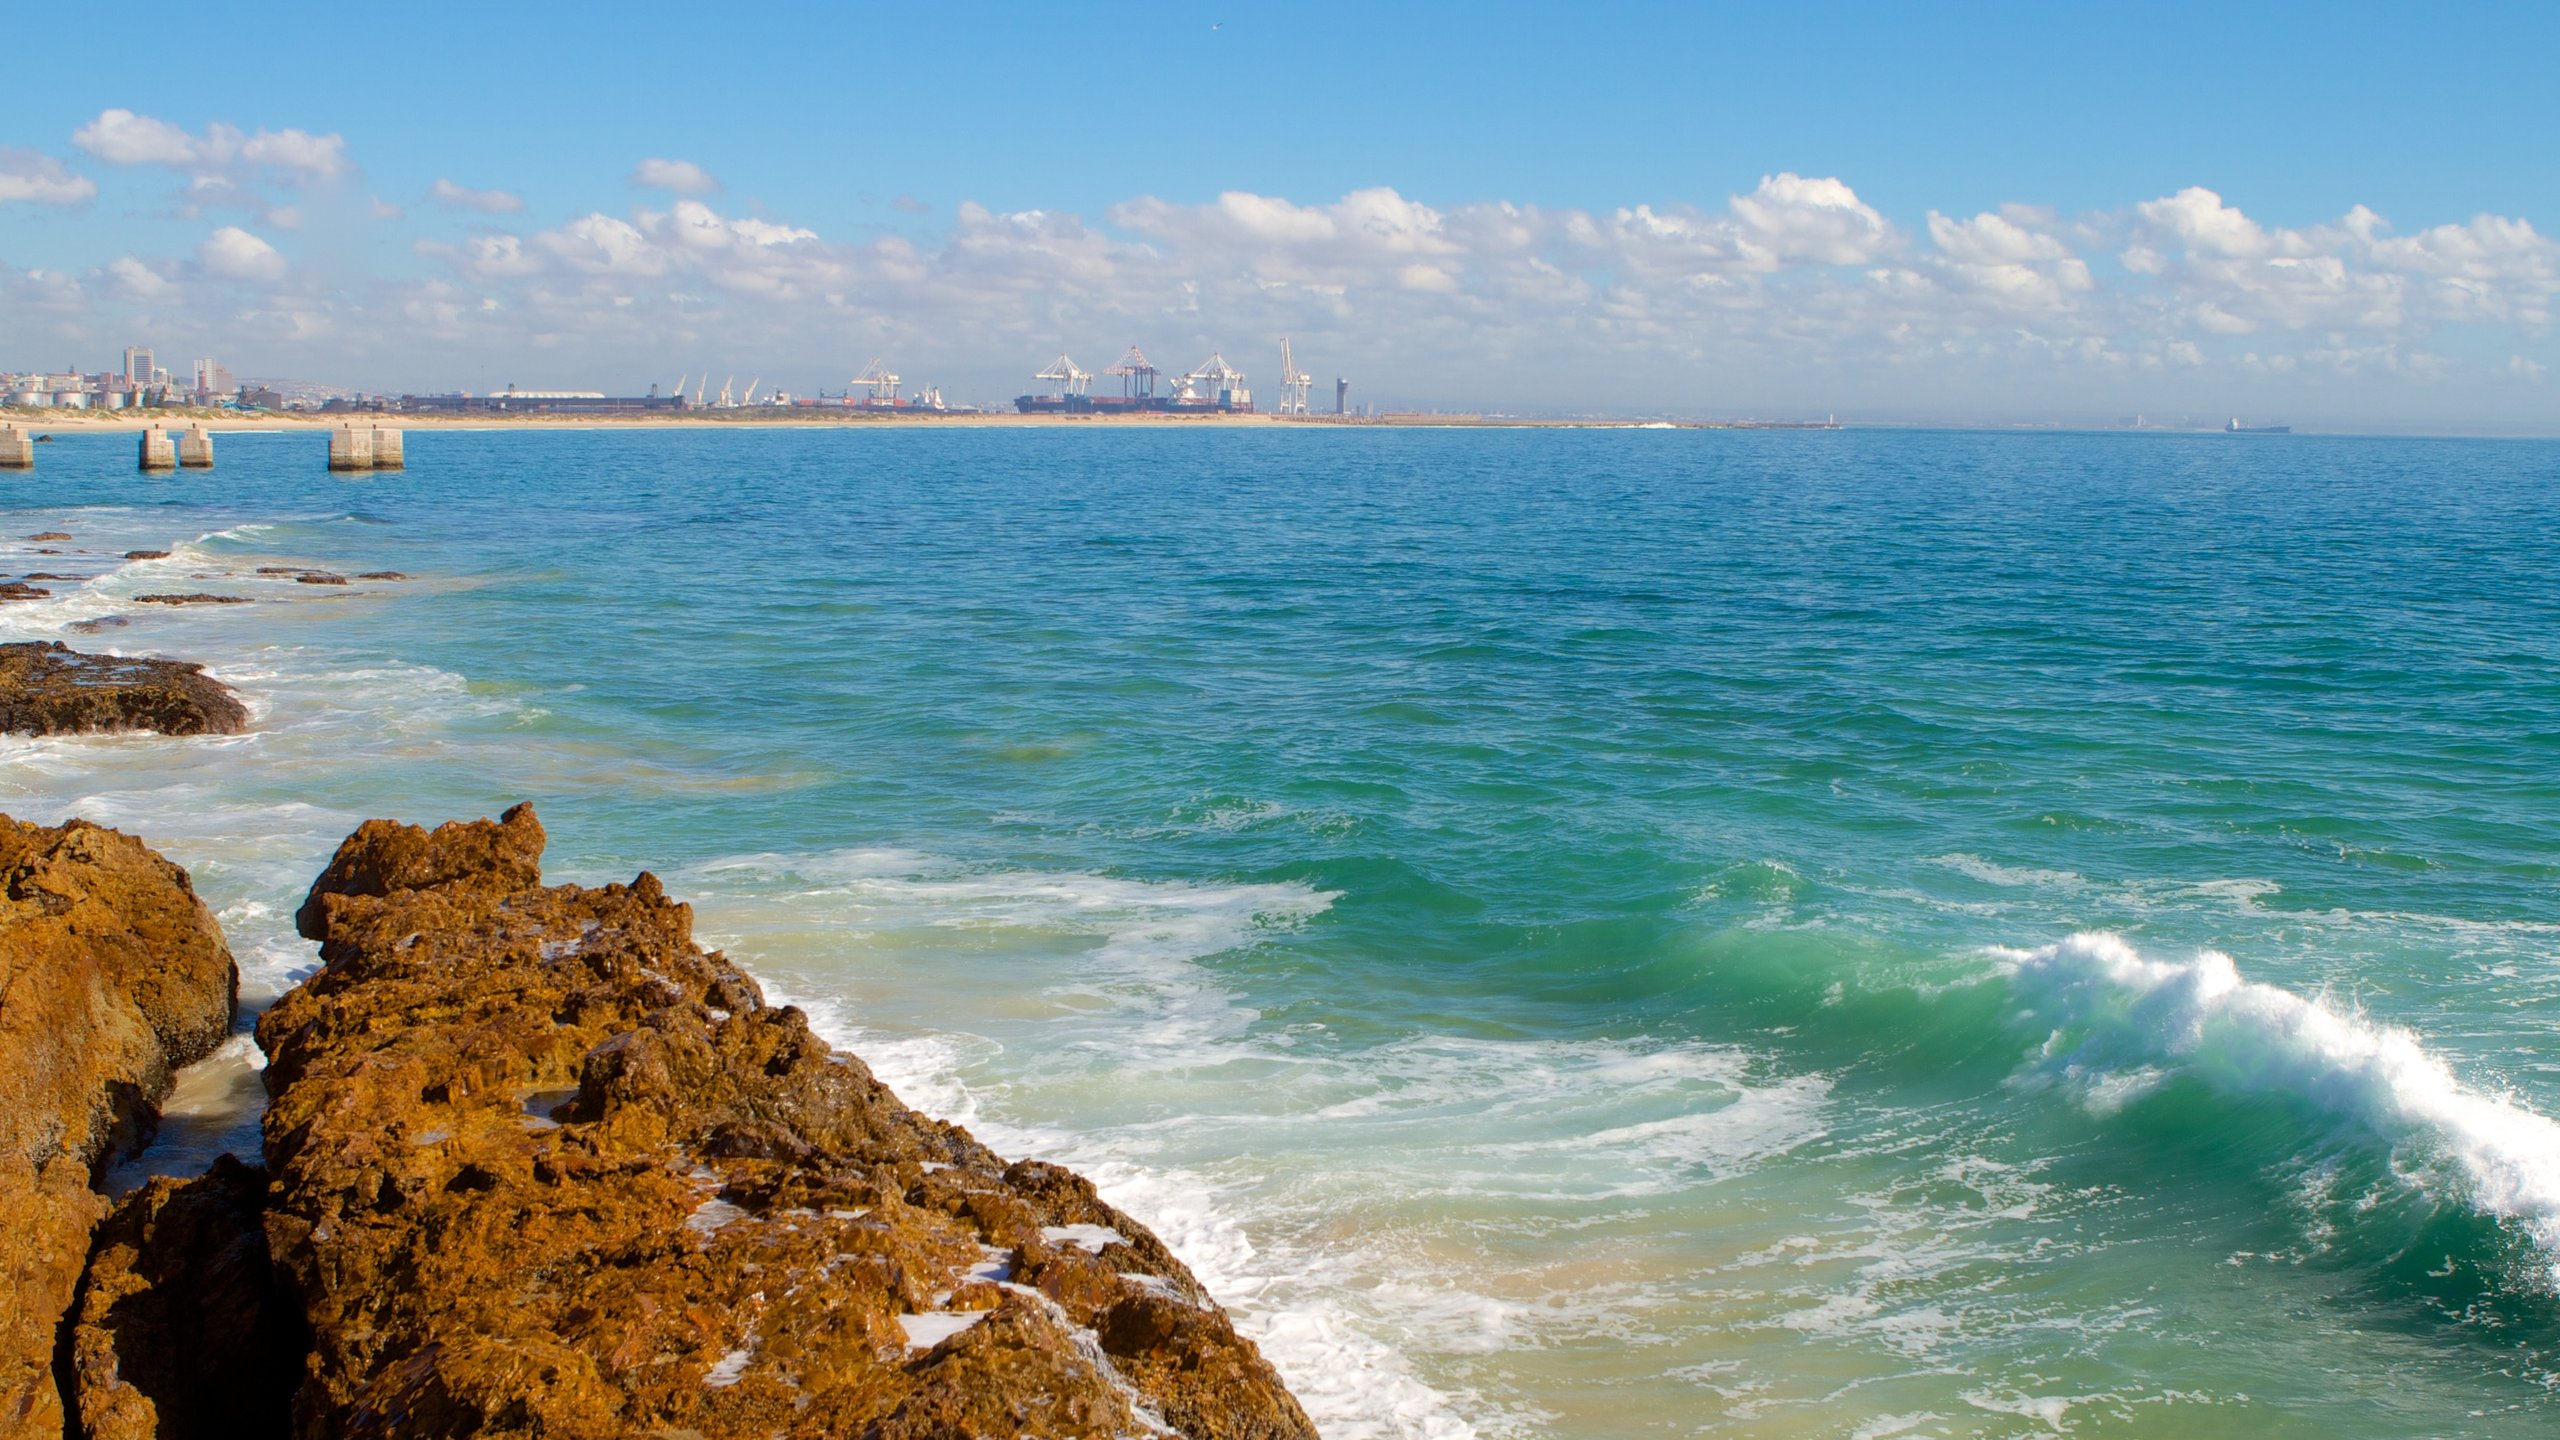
114,975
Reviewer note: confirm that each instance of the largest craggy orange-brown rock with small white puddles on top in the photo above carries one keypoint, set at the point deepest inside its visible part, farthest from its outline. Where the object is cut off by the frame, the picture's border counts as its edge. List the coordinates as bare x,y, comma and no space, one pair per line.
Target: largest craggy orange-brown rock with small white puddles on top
541,1165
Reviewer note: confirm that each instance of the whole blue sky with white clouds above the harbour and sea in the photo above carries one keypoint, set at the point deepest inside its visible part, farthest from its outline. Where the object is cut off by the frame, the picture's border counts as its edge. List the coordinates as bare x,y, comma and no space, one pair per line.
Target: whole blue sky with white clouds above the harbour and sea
2331,217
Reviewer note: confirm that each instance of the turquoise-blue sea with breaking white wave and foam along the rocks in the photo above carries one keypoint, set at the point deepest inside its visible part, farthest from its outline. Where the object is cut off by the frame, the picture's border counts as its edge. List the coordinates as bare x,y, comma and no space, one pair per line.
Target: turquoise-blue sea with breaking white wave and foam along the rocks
1573,931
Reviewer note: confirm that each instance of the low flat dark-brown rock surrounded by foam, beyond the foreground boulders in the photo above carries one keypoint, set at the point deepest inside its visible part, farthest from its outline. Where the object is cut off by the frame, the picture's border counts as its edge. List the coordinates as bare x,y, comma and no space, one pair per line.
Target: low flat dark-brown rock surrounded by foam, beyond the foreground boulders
55,691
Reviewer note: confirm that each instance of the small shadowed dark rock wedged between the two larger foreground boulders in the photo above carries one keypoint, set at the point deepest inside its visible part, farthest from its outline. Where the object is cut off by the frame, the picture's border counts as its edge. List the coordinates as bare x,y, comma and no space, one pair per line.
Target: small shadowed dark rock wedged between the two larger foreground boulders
180,1329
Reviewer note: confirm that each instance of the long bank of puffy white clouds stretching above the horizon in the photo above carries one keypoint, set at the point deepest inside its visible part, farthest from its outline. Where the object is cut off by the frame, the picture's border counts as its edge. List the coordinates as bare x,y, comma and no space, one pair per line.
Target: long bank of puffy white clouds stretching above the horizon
1796,281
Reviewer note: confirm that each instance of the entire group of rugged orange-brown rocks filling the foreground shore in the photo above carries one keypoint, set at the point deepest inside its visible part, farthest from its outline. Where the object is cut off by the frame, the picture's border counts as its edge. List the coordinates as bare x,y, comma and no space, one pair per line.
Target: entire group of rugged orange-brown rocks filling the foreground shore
536,1165
